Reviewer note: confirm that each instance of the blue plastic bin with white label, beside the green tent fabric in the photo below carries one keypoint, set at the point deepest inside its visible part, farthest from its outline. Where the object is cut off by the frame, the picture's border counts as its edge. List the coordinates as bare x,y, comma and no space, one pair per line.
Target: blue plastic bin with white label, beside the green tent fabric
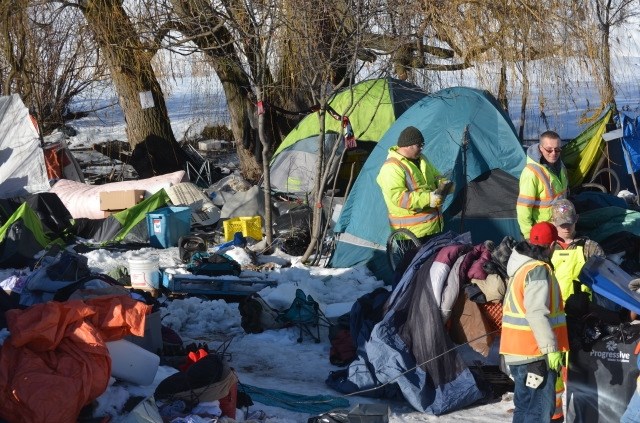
167,225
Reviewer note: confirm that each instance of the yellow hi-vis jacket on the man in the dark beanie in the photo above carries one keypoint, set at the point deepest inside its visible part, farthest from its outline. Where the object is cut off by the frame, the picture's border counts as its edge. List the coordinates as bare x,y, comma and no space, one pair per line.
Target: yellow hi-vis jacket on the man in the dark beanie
406,189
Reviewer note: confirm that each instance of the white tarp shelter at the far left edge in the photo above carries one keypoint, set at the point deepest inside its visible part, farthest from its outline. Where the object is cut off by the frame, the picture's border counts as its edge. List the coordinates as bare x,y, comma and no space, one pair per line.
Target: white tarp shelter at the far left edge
22,165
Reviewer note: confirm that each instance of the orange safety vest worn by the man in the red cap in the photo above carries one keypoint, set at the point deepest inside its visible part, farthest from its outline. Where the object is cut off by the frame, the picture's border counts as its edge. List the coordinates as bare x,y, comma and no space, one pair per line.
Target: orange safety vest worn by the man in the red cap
517,337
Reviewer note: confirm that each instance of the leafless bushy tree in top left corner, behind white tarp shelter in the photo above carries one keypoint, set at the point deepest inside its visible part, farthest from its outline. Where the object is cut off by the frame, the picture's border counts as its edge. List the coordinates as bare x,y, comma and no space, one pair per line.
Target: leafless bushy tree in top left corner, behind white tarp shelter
45,58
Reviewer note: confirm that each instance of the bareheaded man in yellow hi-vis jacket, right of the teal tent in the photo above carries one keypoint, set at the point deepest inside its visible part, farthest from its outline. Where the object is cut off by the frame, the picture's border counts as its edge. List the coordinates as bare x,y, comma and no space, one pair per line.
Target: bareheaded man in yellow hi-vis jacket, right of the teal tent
542,181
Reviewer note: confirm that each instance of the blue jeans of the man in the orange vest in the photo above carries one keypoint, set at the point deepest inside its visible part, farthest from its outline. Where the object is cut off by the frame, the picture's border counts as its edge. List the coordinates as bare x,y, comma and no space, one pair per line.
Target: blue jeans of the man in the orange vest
533,405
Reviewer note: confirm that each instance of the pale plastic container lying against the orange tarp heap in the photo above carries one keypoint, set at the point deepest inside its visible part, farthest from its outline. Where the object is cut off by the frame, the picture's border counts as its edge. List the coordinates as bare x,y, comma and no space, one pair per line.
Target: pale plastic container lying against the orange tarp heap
132,363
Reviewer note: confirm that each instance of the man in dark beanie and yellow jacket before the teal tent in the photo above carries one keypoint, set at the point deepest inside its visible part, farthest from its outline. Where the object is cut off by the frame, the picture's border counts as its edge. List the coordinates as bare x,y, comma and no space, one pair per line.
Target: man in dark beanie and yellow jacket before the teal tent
410,187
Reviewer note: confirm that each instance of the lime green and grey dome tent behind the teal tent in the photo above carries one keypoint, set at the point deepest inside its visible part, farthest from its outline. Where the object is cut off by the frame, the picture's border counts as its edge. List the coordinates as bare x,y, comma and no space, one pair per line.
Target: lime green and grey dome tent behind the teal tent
372,106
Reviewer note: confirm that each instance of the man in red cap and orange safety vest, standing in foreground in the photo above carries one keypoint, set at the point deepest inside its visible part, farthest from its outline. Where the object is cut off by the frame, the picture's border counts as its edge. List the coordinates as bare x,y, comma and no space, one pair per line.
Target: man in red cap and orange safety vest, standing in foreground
534,328
